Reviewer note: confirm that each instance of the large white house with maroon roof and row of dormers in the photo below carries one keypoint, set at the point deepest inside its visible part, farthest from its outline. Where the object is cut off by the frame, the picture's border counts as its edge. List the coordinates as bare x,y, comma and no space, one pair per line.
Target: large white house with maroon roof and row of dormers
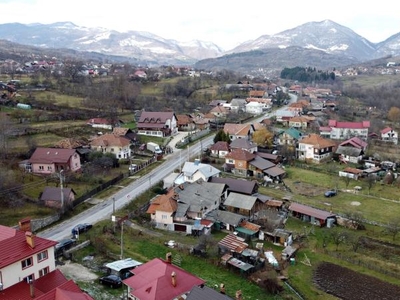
159,124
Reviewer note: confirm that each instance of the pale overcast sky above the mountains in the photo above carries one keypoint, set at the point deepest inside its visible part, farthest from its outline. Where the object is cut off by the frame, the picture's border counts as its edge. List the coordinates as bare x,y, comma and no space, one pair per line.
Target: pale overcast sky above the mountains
226,23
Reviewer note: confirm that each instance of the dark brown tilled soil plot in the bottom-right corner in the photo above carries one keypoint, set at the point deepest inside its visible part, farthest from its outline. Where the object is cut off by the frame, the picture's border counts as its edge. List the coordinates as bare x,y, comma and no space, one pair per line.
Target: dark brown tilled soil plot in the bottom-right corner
349,285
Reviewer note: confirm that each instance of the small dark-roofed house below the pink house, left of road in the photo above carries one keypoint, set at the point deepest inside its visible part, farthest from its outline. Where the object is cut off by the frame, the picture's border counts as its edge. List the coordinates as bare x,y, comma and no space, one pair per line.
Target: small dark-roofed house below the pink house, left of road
56,198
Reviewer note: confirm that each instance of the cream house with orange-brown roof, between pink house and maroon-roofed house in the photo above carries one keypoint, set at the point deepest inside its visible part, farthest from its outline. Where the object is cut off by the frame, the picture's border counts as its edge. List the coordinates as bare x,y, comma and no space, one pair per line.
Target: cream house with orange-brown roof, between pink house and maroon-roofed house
120,146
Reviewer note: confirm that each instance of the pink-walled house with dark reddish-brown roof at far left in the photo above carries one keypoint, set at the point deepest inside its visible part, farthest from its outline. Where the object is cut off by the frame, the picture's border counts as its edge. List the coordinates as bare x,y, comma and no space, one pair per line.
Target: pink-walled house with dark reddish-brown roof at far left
52,160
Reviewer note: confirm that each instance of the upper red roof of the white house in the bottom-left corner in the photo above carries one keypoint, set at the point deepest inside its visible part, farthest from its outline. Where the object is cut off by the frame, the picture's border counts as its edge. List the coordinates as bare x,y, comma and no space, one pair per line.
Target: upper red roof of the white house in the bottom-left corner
13,246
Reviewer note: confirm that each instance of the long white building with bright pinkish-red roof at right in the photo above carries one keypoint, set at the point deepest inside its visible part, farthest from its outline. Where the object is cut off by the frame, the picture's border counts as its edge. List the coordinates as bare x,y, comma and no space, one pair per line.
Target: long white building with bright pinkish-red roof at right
337,130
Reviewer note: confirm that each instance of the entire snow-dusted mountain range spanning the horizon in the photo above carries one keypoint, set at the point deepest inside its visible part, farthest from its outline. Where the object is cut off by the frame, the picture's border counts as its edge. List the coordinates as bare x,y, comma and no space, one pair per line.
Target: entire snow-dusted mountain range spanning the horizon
325,44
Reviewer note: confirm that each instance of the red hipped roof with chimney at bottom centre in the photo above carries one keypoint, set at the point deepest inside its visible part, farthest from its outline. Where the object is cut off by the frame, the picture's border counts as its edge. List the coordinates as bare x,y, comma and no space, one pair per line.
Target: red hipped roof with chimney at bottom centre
152,281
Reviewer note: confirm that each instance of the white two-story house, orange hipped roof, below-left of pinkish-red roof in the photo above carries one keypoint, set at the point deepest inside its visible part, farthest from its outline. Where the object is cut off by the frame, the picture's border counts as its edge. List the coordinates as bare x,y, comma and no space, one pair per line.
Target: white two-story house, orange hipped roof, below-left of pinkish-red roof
315,148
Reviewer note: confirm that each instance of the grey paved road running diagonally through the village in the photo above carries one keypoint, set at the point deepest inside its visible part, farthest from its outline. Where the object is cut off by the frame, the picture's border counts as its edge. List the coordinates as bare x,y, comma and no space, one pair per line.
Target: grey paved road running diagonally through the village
104,209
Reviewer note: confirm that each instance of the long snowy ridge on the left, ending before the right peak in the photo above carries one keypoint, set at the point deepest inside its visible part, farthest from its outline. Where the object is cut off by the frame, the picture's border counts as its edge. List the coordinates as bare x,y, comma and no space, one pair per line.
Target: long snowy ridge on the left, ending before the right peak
143,46
